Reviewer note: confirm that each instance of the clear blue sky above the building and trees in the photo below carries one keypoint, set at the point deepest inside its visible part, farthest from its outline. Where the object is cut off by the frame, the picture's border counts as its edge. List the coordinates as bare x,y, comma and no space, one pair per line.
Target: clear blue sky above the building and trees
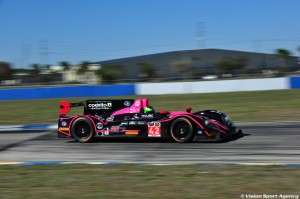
50,31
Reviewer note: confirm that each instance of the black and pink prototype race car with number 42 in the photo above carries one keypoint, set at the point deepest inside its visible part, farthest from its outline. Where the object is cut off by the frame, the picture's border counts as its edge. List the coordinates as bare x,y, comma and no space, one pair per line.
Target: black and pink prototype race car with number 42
136,118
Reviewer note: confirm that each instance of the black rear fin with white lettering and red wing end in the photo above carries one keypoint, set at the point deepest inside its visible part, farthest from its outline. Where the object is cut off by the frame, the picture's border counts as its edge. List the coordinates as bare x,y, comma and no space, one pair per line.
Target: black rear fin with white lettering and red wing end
96,107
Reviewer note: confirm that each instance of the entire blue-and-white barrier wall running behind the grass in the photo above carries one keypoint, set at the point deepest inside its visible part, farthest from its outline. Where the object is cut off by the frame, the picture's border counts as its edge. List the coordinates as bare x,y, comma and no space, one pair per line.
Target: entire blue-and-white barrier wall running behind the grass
151,88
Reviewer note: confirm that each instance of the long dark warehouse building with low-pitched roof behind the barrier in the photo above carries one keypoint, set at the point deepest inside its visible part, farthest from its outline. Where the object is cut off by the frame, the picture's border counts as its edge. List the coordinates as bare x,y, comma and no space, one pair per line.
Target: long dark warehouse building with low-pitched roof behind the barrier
196,63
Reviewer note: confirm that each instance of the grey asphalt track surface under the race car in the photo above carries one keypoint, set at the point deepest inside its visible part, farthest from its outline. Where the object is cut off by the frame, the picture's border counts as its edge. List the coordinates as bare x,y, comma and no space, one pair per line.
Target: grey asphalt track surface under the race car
262,143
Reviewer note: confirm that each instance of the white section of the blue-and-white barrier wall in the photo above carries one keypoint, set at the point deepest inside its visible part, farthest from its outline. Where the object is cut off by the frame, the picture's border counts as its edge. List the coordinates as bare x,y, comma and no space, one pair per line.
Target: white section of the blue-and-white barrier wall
212,86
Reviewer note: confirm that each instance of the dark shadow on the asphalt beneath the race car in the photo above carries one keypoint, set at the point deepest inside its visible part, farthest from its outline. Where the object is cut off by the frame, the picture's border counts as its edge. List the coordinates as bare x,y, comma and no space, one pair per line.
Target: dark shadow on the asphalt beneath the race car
155,140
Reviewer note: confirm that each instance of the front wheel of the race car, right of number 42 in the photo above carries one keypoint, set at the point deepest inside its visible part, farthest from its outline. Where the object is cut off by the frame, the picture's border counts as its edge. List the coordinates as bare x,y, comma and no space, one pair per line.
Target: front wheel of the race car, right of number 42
181,130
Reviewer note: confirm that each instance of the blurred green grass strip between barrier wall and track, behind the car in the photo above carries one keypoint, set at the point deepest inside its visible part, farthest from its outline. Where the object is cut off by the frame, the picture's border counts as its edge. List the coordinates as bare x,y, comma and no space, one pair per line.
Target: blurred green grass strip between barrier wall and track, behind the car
282,105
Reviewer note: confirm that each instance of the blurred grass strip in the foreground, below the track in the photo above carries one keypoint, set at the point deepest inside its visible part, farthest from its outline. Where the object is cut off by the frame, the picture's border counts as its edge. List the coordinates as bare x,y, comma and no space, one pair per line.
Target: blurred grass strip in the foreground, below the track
141,181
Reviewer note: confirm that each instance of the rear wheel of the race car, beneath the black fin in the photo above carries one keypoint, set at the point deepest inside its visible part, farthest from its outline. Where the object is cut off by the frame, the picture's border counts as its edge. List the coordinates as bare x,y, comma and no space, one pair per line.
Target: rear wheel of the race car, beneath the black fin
82,130
